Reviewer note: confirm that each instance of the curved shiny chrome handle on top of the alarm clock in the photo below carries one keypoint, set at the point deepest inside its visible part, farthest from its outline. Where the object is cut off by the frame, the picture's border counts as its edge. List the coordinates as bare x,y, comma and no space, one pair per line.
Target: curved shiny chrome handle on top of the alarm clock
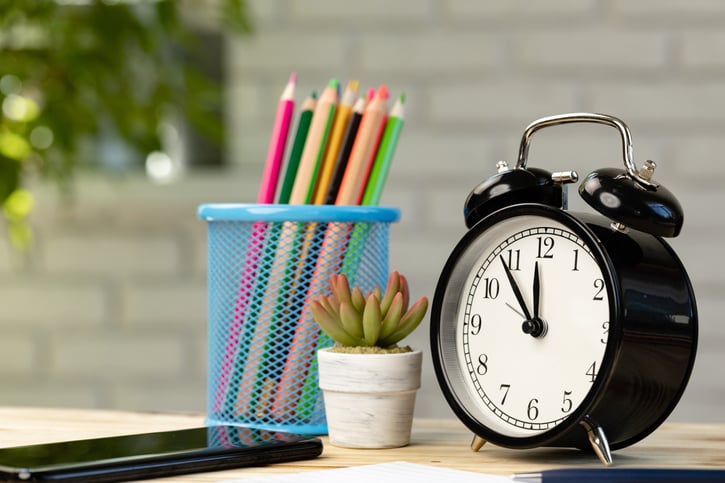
589,117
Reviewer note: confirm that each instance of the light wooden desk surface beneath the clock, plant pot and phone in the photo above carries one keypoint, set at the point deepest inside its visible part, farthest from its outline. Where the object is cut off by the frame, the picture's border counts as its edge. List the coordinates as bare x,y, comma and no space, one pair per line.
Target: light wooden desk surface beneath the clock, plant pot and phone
443,442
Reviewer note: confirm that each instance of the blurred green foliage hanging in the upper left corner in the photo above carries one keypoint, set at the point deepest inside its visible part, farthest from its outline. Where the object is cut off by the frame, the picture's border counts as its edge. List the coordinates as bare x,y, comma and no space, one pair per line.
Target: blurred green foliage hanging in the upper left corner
75,72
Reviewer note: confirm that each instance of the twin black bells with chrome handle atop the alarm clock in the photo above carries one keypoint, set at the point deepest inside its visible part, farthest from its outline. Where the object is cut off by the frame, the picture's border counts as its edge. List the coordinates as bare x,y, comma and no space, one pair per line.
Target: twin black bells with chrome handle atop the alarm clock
629,197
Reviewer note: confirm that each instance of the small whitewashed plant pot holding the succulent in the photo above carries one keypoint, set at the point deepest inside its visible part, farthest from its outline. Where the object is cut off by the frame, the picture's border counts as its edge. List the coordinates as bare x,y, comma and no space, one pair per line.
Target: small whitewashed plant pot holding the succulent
369,398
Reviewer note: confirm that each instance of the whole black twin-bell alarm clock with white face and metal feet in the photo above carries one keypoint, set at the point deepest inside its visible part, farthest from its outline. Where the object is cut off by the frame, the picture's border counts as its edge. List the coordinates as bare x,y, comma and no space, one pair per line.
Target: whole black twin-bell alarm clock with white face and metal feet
562,329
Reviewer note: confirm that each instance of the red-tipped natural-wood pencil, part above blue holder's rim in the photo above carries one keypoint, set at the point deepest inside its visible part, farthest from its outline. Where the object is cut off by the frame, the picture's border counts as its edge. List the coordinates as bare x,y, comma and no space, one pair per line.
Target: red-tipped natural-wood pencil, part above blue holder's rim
351,186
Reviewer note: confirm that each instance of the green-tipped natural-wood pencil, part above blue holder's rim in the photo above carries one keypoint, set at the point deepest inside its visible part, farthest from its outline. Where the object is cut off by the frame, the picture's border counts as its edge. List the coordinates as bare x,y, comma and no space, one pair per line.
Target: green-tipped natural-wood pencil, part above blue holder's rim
315,145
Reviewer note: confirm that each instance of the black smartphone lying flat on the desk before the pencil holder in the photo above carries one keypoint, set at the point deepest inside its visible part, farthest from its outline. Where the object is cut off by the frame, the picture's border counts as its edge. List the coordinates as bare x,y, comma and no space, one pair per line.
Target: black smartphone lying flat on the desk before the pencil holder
154,455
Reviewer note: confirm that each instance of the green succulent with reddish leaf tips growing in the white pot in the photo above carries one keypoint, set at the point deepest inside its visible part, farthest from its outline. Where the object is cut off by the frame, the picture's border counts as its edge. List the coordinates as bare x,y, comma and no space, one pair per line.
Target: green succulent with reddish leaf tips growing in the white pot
376,319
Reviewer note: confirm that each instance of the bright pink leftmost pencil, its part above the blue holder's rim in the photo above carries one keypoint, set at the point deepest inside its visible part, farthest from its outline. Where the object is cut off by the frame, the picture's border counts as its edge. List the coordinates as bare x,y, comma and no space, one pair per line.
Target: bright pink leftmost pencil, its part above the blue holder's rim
277,142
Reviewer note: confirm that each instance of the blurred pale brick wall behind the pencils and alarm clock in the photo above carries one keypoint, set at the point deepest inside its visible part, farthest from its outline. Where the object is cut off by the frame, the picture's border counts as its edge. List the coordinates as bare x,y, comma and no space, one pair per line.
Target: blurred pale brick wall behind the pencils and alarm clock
111,309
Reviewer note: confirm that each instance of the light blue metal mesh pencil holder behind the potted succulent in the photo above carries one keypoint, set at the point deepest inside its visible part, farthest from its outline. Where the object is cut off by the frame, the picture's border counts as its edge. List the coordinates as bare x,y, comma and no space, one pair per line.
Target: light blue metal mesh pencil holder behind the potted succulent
265,263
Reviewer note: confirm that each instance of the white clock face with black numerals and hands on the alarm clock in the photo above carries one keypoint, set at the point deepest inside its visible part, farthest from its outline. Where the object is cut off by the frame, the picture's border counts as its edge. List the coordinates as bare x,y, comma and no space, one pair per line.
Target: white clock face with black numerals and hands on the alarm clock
525,321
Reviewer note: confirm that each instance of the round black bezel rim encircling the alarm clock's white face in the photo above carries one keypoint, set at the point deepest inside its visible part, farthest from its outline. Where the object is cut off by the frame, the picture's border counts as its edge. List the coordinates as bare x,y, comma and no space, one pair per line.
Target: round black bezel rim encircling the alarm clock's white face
614,337
